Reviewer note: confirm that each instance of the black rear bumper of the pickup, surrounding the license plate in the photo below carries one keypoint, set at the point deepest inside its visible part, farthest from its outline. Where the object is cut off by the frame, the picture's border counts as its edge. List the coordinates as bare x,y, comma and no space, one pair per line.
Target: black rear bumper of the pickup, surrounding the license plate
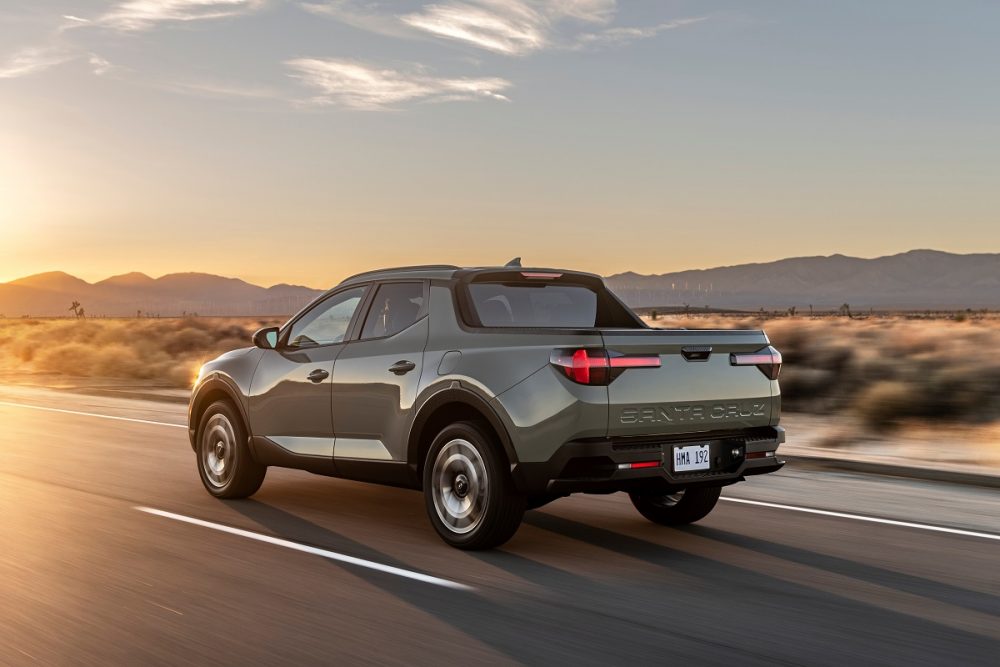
592,465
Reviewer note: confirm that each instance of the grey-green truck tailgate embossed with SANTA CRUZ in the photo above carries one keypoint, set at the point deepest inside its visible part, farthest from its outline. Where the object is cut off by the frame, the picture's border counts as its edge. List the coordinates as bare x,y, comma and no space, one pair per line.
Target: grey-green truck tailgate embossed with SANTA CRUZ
694,389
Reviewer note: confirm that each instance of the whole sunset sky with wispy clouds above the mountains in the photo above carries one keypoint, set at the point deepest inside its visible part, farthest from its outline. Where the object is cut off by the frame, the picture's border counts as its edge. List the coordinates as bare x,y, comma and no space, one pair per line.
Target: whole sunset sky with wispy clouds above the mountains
302,141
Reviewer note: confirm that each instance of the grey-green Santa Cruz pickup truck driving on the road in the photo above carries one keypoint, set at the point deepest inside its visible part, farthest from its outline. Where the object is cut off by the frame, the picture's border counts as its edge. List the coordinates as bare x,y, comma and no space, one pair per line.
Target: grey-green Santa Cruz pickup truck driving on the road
494,390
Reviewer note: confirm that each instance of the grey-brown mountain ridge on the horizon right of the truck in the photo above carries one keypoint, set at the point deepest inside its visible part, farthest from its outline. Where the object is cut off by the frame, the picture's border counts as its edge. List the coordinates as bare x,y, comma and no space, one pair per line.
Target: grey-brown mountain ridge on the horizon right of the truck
917,279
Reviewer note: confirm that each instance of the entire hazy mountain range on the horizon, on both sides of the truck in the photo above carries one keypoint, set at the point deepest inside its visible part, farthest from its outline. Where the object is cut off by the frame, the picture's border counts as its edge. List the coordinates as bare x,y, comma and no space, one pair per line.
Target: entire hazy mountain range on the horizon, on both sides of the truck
919,279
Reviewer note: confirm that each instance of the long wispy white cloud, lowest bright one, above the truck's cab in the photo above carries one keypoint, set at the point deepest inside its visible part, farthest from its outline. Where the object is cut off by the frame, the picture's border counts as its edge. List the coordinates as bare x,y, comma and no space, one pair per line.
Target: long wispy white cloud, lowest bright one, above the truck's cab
356,85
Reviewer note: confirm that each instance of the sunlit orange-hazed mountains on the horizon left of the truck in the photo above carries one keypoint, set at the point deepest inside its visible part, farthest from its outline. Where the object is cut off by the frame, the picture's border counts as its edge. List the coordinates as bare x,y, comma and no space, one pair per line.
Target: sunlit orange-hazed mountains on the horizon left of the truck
49,294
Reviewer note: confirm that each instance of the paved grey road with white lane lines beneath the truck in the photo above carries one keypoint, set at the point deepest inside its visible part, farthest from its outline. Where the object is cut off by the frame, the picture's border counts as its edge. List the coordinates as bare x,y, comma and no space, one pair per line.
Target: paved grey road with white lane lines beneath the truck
86,578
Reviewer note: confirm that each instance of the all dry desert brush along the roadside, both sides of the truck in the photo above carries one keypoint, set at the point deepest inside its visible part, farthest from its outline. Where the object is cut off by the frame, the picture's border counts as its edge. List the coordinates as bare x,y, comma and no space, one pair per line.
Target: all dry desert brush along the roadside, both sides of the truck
881,371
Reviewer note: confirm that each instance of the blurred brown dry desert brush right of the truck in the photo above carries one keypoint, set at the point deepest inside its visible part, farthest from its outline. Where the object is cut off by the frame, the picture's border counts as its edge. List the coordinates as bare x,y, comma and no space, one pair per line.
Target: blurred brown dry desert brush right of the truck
882,370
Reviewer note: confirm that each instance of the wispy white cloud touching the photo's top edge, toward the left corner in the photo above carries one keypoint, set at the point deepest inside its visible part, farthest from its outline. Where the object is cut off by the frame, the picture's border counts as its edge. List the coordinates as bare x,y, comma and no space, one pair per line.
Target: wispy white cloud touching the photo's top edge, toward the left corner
134,15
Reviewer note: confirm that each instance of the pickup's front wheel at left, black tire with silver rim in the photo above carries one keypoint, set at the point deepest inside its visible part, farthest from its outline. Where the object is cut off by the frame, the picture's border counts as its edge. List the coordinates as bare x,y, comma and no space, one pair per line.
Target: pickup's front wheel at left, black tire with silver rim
225,465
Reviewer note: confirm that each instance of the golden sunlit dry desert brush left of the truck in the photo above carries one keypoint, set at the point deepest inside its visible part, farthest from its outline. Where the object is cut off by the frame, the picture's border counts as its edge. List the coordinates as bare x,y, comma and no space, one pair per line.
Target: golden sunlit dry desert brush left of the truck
166,351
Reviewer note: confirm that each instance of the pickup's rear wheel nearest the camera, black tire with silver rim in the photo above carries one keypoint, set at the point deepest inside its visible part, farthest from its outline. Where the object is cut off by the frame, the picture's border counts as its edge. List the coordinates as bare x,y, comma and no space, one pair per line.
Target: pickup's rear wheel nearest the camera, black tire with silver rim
468,491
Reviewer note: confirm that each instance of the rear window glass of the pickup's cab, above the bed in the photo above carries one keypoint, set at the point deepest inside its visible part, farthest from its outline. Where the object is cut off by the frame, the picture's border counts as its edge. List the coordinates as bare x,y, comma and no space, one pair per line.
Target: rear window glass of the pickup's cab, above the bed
534,305
